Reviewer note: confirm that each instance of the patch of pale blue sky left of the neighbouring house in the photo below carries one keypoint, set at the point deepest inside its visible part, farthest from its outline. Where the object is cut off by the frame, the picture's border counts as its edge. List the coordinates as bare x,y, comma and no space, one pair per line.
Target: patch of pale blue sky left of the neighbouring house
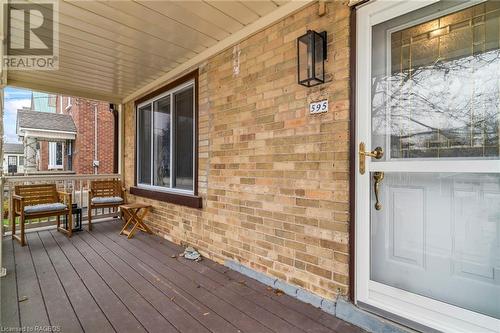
13,99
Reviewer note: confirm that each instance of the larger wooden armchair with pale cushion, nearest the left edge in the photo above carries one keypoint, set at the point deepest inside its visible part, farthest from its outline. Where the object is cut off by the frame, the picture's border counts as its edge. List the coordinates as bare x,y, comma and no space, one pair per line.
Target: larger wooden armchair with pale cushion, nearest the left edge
39,201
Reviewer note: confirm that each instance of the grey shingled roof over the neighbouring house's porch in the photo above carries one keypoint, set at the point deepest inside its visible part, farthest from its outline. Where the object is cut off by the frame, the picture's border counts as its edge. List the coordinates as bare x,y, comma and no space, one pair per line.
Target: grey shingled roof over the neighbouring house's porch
45,121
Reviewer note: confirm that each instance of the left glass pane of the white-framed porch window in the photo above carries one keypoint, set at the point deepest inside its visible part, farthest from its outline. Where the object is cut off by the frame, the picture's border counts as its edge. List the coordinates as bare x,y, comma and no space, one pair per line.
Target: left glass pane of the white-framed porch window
144,144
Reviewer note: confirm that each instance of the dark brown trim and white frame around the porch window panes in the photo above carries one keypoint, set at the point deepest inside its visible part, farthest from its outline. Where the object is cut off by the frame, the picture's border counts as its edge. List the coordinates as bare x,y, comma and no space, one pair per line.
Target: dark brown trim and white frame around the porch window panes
188,198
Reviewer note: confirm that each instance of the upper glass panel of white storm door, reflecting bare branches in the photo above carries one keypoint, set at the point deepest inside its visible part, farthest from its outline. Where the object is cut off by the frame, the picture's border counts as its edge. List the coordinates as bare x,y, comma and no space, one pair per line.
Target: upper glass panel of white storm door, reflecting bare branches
436,85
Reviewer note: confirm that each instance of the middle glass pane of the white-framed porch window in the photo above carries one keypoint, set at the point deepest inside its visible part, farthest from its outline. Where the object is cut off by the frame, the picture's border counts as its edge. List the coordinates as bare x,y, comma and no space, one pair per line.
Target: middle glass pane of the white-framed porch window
161,142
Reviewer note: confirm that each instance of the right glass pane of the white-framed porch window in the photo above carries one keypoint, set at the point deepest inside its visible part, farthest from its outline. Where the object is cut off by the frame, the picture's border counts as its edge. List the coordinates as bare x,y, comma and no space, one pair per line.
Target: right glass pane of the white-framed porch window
183,138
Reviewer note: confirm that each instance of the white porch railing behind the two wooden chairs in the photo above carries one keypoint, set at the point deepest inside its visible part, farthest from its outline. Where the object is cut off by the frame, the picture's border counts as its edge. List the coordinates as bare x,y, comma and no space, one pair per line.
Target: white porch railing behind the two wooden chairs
76,184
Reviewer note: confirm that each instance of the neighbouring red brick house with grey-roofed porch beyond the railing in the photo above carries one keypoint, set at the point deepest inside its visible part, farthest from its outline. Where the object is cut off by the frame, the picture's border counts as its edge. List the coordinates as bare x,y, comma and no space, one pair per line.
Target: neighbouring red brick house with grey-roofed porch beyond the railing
78,134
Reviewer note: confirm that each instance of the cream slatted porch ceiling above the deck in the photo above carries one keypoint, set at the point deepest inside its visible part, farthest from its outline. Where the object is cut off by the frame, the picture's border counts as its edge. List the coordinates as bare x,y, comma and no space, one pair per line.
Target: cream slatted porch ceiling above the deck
114,50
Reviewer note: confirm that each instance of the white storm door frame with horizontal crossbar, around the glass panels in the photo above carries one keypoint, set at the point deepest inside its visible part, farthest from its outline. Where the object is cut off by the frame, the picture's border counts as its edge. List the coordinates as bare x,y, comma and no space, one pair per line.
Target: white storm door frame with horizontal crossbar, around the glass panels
413,307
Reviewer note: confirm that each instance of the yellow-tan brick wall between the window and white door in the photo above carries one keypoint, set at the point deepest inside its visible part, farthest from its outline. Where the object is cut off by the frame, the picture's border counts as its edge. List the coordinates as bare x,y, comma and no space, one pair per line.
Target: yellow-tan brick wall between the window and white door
274,179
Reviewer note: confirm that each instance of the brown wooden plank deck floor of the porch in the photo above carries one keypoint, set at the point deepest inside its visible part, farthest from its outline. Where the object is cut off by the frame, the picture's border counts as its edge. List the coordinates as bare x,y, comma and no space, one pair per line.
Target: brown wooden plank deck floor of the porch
102,282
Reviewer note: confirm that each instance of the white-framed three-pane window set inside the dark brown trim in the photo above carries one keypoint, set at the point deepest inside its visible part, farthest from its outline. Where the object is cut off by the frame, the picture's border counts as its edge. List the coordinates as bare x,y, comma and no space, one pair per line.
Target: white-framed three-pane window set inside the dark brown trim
165,140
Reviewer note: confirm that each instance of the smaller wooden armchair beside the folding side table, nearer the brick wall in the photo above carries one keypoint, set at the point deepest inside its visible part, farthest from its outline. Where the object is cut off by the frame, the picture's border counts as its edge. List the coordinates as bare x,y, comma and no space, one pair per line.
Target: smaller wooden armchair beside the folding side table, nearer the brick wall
105,194
